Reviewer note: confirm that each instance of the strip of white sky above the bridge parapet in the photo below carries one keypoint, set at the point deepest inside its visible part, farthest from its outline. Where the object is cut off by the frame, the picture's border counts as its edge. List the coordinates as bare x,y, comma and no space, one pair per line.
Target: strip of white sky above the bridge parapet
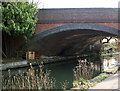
78,3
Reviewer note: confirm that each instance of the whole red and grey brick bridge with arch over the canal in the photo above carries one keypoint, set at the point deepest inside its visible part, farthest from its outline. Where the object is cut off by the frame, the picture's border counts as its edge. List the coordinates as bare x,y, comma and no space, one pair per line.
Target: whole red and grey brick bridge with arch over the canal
70,31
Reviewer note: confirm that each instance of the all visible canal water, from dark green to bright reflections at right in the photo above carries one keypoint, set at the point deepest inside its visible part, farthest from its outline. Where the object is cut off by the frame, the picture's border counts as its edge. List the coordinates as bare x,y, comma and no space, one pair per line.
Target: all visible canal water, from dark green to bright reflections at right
64,71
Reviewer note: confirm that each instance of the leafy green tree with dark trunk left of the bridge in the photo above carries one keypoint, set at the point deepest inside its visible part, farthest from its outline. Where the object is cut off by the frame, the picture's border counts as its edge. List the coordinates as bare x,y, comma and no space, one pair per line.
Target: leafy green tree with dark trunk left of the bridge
18,19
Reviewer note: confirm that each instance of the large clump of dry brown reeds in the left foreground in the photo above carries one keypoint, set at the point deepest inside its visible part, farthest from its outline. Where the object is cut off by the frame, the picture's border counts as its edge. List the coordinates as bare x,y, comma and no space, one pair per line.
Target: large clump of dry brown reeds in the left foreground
29,80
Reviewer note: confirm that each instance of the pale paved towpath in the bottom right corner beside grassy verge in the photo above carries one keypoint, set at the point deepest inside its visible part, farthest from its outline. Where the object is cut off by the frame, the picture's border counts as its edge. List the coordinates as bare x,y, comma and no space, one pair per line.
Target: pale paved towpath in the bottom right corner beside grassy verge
109,83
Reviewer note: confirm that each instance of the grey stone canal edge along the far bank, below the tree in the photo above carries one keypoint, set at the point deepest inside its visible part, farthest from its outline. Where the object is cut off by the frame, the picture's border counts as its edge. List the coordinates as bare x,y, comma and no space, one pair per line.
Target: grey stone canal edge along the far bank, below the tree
26,63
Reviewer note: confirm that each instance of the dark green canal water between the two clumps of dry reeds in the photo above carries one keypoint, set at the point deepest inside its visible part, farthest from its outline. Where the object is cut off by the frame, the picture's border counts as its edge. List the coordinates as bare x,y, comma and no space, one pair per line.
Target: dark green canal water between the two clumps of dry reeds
63,72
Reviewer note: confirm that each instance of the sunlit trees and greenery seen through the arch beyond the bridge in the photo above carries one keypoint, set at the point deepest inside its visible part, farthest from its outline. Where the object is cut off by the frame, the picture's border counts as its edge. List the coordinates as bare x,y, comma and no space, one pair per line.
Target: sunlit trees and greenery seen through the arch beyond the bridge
103,46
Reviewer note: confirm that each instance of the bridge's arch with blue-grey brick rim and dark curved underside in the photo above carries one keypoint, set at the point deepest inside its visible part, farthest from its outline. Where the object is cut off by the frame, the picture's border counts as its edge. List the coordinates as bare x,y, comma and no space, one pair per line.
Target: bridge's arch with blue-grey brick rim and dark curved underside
69,39
